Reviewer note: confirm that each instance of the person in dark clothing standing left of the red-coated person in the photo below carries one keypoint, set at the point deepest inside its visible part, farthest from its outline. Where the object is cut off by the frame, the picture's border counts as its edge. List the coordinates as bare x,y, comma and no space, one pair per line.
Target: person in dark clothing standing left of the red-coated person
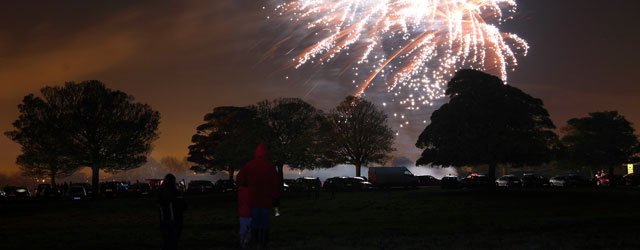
172,207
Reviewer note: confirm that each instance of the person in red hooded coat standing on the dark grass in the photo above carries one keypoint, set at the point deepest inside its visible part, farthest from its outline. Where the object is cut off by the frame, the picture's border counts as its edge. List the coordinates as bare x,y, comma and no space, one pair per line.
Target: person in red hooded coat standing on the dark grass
261,178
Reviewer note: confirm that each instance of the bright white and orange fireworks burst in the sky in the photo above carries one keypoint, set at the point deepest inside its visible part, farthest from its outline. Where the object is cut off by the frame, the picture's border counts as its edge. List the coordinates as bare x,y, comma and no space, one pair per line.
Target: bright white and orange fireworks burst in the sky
412,46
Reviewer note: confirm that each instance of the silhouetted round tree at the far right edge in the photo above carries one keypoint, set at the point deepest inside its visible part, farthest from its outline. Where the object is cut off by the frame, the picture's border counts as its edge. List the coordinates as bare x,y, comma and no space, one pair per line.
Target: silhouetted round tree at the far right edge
601,140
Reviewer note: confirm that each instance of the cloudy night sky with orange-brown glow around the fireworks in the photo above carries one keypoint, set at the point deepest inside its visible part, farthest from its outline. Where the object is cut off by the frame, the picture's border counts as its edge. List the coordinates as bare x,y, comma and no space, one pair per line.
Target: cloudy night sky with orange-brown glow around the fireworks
186,57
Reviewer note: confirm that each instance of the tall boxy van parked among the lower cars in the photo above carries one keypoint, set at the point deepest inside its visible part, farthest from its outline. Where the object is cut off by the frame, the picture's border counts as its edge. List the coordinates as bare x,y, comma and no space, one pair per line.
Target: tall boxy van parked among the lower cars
392,177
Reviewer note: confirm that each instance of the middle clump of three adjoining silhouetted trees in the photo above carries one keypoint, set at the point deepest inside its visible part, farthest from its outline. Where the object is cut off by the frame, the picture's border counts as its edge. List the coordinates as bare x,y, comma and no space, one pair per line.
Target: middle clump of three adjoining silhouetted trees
296,134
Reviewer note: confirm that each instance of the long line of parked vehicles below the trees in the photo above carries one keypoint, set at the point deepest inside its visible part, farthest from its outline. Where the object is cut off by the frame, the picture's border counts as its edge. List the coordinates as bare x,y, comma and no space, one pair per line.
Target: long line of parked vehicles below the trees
382,177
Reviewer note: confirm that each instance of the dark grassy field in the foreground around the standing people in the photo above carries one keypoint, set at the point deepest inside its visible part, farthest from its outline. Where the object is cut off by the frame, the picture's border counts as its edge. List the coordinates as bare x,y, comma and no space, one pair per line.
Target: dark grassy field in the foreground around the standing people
396,219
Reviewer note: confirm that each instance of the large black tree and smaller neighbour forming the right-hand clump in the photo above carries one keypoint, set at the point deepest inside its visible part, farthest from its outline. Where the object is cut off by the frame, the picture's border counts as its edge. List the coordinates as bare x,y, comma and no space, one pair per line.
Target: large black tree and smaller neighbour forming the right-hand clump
489,123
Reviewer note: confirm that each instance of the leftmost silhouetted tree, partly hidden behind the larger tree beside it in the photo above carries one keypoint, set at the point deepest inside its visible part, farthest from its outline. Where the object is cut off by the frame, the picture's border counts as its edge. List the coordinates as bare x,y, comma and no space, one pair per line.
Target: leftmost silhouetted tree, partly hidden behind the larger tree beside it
40,132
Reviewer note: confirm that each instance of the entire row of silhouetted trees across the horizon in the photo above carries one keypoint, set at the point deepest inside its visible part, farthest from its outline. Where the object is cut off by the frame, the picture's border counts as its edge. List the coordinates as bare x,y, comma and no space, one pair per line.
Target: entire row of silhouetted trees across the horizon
484,122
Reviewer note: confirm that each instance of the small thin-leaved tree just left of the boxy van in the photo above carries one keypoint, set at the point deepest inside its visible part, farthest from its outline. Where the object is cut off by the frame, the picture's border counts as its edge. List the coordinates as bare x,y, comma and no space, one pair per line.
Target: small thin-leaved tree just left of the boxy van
361,134
